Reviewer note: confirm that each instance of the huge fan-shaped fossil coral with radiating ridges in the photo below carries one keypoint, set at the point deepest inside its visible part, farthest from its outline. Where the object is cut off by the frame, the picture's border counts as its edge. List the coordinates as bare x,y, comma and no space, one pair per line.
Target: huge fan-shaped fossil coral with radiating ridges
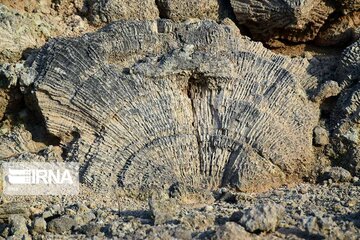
240,119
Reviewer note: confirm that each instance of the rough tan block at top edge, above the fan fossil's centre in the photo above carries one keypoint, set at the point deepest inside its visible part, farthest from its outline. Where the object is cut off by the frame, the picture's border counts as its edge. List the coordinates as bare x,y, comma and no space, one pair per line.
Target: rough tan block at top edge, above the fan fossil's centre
182,10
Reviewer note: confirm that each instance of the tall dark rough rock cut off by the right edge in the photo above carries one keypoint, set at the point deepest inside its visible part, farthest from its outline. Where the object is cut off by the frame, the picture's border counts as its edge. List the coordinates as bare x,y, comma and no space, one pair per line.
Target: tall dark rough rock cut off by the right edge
346,114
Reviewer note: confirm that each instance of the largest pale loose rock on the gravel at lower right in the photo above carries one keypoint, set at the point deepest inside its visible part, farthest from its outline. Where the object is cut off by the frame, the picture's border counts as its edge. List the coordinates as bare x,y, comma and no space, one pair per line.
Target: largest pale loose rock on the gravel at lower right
262,218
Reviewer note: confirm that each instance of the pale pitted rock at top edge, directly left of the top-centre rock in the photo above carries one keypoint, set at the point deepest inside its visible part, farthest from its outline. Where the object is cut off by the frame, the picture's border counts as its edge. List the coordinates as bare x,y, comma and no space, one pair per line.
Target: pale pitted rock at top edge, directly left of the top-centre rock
107,11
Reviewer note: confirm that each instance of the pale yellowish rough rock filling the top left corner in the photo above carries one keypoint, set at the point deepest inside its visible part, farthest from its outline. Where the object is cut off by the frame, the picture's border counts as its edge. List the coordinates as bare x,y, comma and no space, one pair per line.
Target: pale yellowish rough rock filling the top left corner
22,31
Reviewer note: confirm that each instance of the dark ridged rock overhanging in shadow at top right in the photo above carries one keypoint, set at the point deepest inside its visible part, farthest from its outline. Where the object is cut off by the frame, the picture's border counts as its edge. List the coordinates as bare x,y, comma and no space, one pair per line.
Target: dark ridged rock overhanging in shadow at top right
293,20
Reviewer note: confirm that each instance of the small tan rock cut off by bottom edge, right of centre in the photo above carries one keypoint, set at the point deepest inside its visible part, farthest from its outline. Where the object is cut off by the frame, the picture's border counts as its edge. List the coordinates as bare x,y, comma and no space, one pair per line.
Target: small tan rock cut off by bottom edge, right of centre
232,231
